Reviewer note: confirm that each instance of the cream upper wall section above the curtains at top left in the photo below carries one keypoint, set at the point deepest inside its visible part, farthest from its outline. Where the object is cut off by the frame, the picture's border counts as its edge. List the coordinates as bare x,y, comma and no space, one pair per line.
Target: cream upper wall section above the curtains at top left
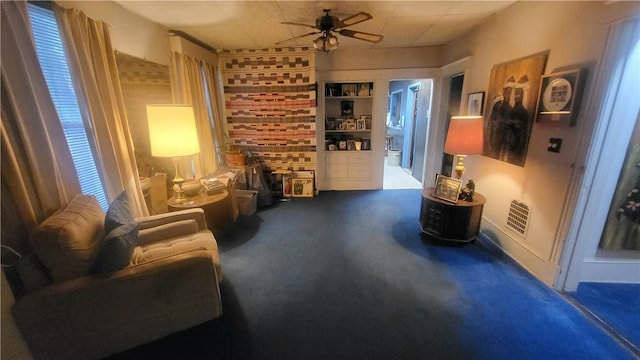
130,33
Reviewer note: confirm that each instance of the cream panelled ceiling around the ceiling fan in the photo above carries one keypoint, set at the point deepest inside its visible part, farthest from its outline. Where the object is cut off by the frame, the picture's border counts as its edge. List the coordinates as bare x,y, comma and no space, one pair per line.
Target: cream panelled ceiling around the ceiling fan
256,24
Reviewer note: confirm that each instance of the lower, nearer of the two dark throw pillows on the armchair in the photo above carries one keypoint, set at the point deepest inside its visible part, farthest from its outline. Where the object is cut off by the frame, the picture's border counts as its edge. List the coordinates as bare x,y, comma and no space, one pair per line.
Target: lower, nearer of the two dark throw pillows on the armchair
117,248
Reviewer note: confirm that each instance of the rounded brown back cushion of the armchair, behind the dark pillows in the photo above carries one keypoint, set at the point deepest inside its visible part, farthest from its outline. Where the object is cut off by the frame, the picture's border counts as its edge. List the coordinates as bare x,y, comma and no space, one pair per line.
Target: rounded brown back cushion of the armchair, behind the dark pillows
66,243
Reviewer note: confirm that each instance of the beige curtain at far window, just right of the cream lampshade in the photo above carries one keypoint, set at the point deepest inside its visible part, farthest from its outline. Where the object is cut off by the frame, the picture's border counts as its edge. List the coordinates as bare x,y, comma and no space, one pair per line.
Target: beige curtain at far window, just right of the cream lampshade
194,82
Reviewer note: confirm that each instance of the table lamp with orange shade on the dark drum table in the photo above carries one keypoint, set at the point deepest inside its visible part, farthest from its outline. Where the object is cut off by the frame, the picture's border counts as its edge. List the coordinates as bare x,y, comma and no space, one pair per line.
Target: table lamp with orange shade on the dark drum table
464,137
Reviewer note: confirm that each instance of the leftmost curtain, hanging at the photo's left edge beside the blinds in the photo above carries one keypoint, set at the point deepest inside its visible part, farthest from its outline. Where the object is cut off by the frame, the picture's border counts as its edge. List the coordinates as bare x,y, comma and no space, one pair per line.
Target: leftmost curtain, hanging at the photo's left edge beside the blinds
37,168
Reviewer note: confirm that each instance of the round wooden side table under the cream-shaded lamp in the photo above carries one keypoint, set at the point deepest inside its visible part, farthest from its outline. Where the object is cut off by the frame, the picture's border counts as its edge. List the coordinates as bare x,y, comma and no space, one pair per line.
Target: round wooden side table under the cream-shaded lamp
217,209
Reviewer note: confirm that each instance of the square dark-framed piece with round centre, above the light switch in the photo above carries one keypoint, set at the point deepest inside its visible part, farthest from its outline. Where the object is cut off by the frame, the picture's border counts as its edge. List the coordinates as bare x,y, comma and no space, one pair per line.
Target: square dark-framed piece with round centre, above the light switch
559,97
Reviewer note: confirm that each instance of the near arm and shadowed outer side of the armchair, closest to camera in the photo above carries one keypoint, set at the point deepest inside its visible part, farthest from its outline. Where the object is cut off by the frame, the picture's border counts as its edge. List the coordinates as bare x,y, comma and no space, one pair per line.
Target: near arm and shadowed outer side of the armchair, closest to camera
86,316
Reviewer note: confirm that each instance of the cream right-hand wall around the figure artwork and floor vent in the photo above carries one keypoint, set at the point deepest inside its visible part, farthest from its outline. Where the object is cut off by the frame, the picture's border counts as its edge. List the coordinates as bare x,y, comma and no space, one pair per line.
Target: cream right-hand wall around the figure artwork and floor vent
574,33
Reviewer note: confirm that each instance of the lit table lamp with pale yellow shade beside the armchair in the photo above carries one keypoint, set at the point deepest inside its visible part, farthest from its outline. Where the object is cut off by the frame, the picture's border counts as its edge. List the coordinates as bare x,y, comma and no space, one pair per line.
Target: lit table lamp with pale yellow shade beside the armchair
172,133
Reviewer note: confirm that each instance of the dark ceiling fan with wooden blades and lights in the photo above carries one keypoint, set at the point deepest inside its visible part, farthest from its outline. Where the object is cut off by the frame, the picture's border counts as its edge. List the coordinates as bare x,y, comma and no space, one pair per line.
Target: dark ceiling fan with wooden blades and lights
327,25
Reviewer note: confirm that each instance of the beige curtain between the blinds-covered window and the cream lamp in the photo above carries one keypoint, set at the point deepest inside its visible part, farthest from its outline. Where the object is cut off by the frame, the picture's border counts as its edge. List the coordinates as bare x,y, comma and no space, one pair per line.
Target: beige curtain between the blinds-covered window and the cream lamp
95,74
